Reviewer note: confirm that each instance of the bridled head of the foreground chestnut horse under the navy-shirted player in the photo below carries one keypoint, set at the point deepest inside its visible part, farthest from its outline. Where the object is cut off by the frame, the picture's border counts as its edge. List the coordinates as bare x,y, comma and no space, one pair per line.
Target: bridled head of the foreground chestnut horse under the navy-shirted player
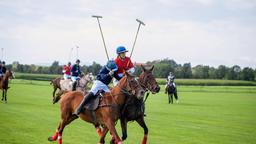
129,85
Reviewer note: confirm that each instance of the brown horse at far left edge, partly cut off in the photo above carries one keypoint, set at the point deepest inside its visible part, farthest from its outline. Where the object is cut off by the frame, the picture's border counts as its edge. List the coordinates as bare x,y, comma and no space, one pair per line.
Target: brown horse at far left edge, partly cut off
4,81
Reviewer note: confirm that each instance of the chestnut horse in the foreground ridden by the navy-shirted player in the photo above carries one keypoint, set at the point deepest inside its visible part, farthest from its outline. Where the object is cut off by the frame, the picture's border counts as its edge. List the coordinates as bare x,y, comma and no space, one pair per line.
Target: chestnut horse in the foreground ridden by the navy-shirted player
106,114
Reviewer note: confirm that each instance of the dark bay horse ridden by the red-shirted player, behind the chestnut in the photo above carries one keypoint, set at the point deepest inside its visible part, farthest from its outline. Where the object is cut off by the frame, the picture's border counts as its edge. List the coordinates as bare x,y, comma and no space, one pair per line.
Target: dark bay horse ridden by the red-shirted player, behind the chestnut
134,108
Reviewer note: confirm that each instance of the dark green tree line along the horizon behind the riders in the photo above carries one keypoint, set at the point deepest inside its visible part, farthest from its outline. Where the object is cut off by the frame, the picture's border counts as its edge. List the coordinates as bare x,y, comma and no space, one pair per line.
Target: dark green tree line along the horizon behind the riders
162,69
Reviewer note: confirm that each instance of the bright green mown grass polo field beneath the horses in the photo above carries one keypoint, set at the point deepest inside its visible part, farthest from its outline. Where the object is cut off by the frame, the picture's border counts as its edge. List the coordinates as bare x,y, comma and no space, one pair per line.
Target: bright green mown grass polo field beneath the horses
219,114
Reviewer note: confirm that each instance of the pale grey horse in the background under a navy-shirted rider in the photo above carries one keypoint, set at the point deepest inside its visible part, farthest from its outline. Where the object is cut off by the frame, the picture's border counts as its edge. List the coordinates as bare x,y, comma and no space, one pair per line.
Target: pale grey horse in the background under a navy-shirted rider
66,85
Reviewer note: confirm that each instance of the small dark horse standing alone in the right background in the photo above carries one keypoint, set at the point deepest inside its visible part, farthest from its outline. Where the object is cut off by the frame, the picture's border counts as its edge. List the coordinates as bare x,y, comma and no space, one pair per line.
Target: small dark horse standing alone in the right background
171,91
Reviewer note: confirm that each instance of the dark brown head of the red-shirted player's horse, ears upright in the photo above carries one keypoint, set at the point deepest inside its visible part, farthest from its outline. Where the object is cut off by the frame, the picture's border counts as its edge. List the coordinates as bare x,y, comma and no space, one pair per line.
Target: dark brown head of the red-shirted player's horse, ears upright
148,81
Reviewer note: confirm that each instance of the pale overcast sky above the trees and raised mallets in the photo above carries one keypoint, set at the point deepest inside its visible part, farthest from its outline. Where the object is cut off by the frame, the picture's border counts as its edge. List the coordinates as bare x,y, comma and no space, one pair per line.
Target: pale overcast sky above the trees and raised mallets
208,32
